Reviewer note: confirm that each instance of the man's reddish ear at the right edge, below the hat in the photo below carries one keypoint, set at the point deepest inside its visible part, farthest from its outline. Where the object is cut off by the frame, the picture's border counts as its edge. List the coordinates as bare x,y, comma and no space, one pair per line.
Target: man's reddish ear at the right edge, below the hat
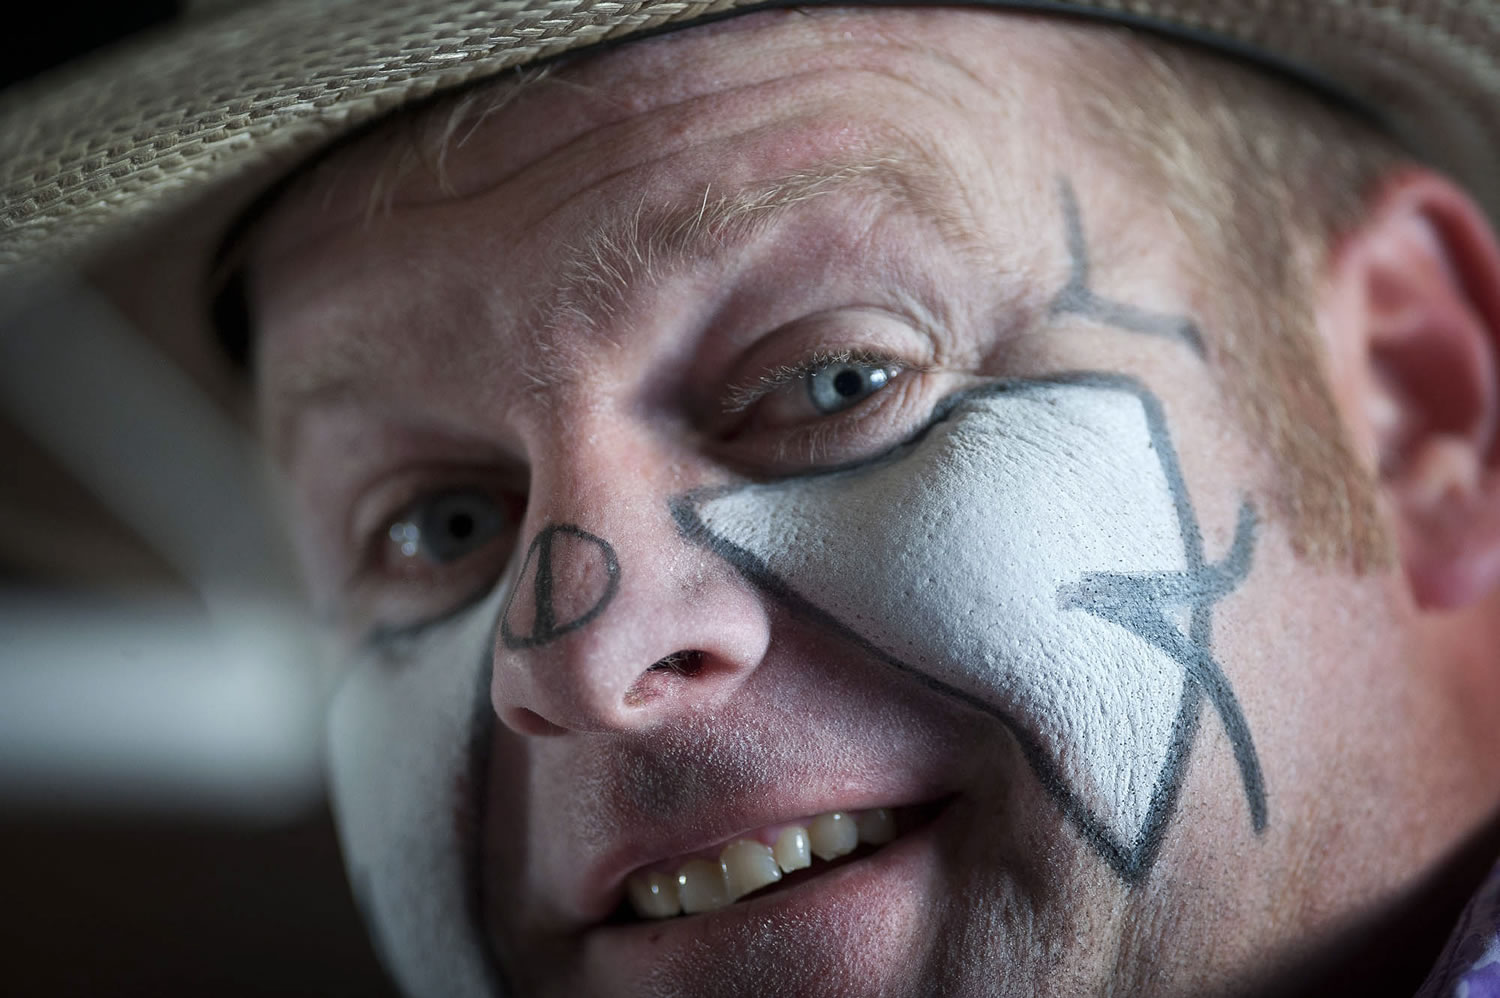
1414,316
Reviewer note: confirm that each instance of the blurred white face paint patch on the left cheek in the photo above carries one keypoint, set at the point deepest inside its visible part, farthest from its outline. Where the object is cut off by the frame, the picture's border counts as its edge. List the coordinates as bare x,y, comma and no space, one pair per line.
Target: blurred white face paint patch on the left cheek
403,757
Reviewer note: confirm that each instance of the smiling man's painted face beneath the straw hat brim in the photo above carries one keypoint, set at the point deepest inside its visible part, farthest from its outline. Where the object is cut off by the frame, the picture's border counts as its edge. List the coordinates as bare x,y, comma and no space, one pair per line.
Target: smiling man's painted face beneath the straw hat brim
812,416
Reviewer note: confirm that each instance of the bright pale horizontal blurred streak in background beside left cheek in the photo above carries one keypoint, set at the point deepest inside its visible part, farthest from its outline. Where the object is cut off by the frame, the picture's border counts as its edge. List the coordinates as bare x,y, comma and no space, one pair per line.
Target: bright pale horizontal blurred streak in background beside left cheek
155,708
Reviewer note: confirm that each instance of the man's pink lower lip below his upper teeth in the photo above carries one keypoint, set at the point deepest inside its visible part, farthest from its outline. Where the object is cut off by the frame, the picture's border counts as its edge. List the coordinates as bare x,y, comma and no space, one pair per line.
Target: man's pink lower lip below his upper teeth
901,876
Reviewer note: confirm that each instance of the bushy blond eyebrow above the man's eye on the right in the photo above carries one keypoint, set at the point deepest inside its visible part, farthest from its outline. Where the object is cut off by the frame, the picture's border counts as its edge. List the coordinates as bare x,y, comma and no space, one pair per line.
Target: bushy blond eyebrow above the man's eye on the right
637,245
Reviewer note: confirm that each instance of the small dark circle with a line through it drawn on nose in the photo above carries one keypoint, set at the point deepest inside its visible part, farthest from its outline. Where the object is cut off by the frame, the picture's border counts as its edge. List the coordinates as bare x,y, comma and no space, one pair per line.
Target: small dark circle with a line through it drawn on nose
568,580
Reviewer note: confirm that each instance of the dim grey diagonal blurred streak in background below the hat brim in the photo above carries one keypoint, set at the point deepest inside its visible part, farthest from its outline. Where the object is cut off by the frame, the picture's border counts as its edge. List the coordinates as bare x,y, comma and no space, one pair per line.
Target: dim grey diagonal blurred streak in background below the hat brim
142,437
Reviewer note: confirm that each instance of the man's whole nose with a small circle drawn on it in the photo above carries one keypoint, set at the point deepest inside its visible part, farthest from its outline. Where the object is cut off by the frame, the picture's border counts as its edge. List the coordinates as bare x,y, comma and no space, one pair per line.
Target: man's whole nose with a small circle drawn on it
614,622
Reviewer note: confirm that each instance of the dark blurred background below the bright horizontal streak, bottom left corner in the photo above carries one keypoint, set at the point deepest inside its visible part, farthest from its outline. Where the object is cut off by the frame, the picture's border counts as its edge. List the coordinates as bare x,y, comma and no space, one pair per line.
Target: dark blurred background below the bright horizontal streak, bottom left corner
133,906
